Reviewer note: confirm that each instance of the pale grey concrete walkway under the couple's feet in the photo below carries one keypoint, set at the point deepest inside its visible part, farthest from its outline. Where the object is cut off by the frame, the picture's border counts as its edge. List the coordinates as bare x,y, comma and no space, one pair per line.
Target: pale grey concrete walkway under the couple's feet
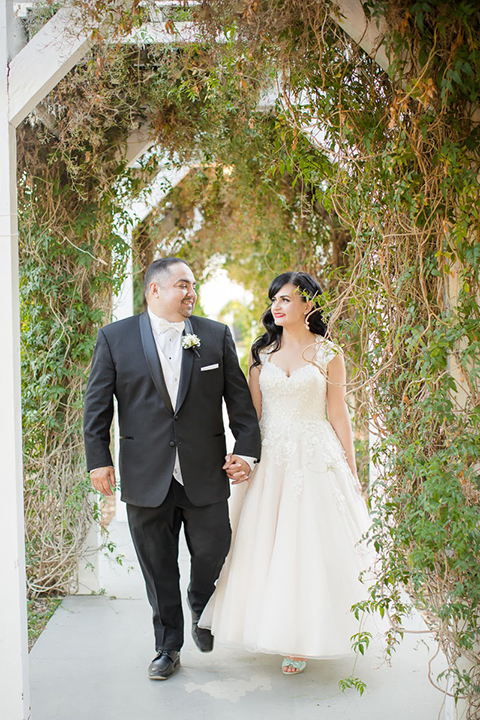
91,661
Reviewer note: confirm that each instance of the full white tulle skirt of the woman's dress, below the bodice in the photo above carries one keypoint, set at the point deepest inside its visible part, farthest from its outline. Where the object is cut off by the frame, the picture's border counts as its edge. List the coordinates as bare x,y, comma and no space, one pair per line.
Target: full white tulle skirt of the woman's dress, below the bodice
292,573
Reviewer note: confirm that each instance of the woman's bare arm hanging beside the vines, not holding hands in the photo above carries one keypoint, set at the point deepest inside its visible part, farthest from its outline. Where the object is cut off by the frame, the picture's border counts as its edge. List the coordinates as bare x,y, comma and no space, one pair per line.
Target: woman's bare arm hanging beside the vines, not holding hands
338,410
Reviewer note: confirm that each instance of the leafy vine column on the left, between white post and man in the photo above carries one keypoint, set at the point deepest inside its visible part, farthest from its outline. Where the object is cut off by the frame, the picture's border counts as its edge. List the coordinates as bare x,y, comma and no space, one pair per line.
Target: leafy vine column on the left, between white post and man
72,194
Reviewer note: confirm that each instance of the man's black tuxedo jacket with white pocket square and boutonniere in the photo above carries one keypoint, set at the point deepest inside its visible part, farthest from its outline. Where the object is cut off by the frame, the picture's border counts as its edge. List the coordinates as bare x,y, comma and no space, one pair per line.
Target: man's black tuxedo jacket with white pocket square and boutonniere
126,365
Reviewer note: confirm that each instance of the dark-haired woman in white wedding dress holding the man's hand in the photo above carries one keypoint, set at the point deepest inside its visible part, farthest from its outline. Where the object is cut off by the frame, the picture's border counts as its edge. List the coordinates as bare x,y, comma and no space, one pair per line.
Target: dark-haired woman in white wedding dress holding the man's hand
292,572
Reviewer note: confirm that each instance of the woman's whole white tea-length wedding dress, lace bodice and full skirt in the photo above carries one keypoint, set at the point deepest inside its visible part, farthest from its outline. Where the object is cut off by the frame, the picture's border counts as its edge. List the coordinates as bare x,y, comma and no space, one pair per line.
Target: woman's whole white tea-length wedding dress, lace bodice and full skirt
292,572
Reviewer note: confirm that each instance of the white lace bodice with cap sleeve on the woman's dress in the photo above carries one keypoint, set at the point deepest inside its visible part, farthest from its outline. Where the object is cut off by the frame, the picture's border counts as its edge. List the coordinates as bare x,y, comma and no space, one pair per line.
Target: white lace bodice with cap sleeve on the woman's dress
294,411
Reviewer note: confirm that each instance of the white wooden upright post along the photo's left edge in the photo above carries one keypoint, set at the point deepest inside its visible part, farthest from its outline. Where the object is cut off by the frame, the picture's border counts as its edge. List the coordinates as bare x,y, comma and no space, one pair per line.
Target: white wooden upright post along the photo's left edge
14,689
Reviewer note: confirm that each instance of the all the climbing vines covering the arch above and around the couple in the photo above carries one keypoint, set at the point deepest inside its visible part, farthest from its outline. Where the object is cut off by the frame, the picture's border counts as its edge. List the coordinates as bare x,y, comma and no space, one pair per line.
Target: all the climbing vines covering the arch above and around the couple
366,177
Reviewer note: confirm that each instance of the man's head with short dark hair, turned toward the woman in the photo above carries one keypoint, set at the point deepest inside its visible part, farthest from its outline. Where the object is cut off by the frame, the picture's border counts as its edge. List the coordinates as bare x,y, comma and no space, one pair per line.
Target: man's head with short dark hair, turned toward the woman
174,297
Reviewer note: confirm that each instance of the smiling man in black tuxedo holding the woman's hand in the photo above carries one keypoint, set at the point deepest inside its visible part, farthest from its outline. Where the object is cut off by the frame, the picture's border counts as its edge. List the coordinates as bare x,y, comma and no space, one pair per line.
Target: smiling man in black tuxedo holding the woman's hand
169,372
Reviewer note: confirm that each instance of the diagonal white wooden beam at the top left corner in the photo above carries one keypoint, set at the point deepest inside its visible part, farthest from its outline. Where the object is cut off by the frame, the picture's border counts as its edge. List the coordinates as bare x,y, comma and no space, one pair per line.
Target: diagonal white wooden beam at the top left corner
44,61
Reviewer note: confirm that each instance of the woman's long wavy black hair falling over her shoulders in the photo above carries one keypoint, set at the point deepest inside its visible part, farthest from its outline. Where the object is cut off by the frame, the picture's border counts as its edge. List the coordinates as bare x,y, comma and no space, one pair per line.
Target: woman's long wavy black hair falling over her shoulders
310,290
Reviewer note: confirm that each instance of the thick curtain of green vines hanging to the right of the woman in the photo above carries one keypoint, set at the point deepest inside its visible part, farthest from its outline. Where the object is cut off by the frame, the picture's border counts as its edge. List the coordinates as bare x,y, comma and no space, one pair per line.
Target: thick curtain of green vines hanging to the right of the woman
403,178
